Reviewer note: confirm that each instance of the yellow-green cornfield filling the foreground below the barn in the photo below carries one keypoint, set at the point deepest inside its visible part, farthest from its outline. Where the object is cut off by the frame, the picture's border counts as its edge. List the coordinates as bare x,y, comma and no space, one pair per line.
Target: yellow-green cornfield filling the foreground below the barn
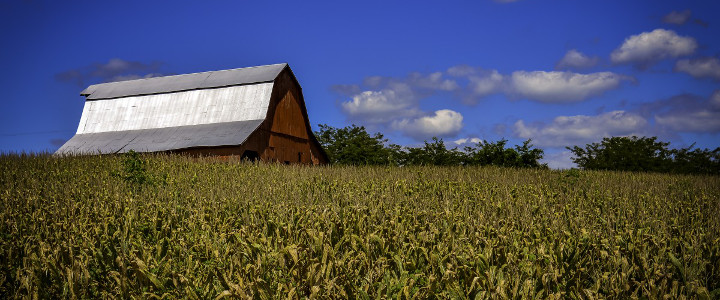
162,226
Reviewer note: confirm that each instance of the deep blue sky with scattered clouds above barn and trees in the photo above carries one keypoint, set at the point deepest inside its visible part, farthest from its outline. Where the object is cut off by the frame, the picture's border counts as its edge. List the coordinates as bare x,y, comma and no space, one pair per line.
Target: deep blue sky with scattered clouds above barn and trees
561,72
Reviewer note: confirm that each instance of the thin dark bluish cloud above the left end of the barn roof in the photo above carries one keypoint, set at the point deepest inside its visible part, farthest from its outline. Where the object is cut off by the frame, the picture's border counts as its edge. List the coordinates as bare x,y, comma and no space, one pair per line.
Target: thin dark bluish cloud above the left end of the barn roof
114,70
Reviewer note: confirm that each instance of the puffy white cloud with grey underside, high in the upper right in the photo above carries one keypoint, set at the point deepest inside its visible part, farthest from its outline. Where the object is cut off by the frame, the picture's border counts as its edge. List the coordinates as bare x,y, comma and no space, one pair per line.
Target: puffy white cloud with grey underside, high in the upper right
646,48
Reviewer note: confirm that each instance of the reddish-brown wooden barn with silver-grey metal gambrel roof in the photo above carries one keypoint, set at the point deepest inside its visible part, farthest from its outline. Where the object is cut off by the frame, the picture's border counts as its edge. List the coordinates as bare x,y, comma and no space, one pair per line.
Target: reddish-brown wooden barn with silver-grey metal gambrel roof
256,112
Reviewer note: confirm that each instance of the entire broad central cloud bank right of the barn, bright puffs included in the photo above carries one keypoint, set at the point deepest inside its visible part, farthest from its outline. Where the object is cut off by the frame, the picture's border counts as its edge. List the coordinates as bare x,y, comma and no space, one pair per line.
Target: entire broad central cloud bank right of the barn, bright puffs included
394,103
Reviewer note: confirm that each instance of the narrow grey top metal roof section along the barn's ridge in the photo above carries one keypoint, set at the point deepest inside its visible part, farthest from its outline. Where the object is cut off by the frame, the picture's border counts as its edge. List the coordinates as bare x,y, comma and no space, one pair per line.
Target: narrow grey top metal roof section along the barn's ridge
183,82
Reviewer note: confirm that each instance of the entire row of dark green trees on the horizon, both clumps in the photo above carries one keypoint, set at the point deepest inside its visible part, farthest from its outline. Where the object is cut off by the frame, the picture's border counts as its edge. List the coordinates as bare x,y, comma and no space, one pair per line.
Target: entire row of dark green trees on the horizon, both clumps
353,145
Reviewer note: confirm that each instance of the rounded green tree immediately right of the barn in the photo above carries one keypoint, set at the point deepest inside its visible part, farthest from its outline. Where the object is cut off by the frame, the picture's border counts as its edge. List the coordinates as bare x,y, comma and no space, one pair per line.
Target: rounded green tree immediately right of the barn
353,145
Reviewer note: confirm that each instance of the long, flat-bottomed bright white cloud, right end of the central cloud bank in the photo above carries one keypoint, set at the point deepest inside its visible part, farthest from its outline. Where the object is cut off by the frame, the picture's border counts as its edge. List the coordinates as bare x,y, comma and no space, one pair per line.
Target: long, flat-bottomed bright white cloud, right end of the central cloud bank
560,87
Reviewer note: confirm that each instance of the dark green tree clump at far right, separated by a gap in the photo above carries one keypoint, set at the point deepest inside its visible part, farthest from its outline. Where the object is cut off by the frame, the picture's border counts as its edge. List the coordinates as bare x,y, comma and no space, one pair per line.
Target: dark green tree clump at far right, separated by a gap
645,154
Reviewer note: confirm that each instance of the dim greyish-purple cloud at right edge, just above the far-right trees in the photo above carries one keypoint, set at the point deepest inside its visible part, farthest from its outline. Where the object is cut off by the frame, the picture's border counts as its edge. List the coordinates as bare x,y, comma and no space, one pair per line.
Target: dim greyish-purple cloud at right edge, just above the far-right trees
687,113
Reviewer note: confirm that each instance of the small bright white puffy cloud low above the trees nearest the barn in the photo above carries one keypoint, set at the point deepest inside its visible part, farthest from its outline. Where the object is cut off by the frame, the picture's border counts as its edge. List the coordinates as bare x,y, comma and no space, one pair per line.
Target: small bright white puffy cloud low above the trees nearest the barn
444,122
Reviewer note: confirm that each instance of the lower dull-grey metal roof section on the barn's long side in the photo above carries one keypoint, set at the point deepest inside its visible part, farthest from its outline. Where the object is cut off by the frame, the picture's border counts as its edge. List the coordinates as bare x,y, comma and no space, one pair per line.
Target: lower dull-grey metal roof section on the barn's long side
161,139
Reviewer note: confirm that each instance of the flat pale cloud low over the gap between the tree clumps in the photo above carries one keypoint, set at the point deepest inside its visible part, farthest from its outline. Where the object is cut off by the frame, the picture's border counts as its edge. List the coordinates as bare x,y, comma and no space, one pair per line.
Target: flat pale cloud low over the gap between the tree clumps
581,129
